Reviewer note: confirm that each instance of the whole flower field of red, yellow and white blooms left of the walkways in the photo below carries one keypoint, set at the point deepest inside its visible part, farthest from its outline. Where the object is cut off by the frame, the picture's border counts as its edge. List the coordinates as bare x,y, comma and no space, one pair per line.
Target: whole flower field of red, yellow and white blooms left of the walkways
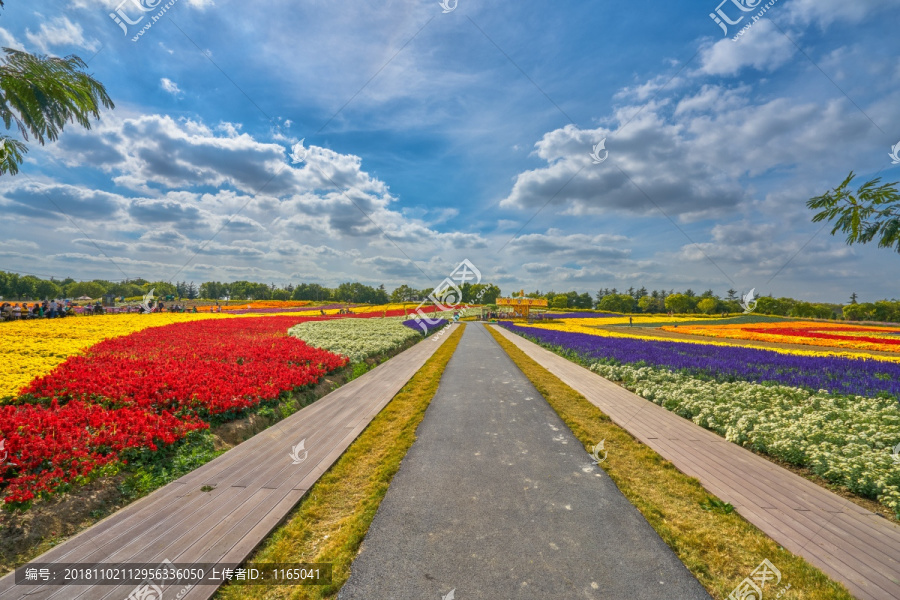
97,388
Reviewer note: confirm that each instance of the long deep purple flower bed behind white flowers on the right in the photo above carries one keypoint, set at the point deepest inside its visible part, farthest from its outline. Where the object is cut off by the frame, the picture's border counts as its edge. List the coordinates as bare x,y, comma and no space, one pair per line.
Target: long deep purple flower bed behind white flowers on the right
728,363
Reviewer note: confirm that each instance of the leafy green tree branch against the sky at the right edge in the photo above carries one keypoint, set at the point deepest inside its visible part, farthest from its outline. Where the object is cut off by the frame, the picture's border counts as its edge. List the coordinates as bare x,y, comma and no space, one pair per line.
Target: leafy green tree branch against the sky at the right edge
872,212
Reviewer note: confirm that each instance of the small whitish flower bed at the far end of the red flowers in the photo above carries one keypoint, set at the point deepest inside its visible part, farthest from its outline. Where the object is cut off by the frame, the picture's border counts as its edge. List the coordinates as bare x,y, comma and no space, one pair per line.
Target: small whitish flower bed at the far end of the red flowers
355,338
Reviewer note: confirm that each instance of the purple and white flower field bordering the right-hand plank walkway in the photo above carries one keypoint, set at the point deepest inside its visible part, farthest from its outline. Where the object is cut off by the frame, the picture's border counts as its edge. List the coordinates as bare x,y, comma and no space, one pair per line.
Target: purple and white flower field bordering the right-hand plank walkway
836,415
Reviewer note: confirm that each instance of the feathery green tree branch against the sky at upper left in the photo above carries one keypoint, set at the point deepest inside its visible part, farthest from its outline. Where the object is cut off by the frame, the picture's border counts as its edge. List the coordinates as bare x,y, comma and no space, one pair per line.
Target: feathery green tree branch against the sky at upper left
39,95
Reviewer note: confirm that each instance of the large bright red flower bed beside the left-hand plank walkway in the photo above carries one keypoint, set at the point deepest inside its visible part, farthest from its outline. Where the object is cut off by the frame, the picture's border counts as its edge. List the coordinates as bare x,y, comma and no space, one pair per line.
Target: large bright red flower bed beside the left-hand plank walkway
149,388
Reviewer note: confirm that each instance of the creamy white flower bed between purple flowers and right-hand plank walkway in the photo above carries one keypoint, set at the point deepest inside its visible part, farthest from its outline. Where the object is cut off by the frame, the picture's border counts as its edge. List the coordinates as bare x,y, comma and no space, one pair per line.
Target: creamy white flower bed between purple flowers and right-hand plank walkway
846,440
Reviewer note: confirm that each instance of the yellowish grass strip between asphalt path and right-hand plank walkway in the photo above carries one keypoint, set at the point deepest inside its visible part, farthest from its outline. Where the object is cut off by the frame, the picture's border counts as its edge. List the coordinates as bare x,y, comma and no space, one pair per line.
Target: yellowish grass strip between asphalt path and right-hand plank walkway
716,544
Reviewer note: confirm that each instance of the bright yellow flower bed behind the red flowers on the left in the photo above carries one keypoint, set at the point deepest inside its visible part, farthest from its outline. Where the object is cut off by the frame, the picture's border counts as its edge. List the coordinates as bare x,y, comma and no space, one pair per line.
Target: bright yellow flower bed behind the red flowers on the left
29,349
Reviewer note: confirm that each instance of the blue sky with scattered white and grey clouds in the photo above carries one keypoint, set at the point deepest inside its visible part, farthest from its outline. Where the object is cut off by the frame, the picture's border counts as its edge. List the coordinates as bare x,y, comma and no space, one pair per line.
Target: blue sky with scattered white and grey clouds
283,141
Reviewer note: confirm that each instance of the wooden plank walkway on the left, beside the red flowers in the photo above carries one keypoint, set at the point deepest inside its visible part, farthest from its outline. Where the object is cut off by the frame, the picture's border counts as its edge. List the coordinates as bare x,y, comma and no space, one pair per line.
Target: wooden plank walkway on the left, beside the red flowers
255,485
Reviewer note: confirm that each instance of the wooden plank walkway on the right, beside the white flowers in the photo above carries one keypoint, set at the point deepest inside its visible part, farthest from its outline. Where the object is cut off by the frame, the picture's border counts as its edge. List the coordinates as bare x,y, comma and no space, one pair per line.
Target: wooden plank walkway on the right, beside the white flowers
849,543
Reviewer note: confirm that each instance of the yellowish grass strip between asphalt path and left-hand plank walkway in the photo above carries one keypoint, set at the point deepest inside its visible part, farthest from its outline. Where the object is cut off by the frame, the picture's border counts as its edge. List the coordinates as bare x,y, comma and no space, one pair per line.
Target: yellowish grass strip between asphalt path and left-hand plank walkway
331,521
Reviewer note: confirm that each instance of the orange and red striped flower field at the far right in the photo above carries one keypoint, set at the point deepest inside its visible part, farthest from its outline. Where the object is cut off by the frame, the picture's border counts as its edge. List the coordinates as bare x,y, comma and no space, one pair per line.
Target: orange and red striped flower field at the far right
886,339
